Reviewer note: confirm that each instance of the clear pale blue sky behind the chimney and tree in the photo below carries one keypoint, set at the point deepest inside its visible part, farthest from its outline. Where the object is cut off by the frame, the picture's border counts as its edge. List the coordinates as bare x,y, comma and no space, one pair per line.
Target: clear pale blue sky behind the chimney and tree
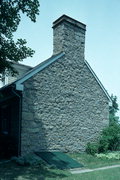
102,45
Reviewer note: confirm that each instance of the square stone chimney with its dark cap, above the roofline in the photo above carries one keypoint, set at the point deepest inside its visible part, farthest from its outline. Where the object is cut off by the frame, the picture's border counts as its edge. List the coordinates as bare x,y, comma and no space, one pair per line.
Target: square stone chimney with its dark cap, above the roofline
69,37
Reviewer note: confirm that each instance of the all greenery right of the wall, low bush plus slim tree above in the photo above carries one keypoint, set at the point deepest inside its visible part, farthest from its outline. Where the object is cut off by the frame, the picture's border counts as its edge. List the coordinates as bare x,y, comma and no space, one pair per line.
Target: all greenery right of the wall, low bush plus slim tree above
110,137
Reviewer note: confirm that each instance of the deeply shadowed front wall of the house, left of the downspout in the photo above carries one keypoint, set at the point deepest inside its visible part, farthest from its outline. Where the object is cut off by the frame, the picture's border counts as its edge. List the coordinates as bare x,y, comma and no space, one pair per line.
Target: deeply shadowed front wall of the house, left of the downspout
9,128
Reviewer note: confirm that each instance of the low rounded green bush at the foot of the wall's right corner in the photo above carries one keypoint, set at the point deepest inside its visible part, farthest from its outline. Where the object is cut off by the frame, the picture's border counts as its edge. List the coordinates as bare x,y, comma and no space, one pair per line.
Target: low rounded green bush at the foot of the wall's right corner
109,141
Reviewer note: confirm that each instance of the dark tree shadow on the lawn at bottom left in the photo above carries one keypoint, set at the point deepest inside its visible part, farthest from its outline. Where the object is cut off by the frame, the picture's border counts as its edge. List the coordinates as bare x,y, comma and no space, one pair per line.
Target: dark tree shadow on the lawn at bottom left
12,171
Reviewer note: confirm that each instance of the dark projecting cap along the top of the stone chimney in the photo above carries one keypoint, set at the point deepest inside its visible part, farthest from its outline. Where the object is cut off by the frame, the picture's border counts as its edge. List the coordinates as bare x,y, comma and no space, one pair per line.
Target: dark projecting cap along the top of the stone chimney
72,21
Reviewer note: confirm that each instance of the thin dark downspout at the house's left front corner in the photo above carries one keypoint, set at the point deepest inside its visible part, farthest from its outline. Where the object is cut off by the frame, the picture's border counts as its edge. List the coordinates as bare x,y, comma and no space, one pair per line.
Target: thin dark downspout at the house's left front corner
20,117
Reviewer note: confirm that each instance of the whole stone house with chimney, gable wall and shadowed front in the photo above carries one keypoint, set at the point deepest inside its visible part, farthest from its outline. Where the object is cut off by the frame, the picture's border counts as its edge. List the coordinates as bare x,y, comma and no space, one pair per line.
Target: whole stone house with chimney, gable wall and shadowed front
59,105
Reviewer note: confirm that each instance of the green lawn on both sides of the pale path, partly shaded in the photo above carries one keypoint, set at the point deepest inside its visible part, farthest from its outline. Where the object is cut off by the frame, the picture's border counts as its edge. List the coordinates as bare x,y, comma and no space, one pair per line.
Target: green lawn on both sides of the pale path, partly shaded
12,171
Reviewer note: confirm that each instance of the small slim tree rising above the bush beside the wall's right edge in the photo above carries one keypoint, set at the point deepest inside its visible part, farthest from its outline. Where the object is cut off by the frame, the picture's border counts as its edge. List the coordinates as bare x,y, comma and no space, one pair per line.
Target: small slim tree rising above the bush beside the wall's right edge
113,110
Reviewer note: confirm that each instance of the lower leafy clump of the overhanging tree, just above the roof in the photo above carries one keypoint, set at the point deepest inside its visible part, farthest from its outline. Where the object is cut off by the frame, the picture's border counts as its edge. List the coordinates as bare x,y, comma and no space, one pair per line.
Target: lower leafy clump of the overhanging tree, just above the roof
13,52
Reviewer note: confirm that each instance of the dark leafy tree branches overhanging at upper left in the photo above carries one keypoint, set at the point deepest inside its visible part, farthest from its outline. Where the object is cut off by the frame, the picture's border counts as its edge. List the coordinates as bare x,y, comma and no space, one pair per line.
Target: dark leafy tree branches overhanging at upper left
10,18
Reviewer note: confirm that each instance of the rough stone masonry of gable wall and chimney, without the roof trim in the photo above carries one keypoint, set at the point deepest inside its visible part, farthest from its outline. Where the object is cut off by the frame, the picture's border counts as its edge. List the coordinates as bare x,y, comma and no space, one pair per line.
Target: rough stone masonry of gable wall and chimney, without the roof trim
63,105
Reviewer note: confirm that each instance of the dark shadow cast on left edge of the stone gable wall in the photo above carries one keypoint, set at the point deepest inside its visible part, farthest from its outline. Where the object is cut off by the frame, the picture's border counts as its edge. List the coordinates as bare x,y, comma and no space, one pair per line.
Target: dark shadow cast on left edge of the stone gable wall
33,129
